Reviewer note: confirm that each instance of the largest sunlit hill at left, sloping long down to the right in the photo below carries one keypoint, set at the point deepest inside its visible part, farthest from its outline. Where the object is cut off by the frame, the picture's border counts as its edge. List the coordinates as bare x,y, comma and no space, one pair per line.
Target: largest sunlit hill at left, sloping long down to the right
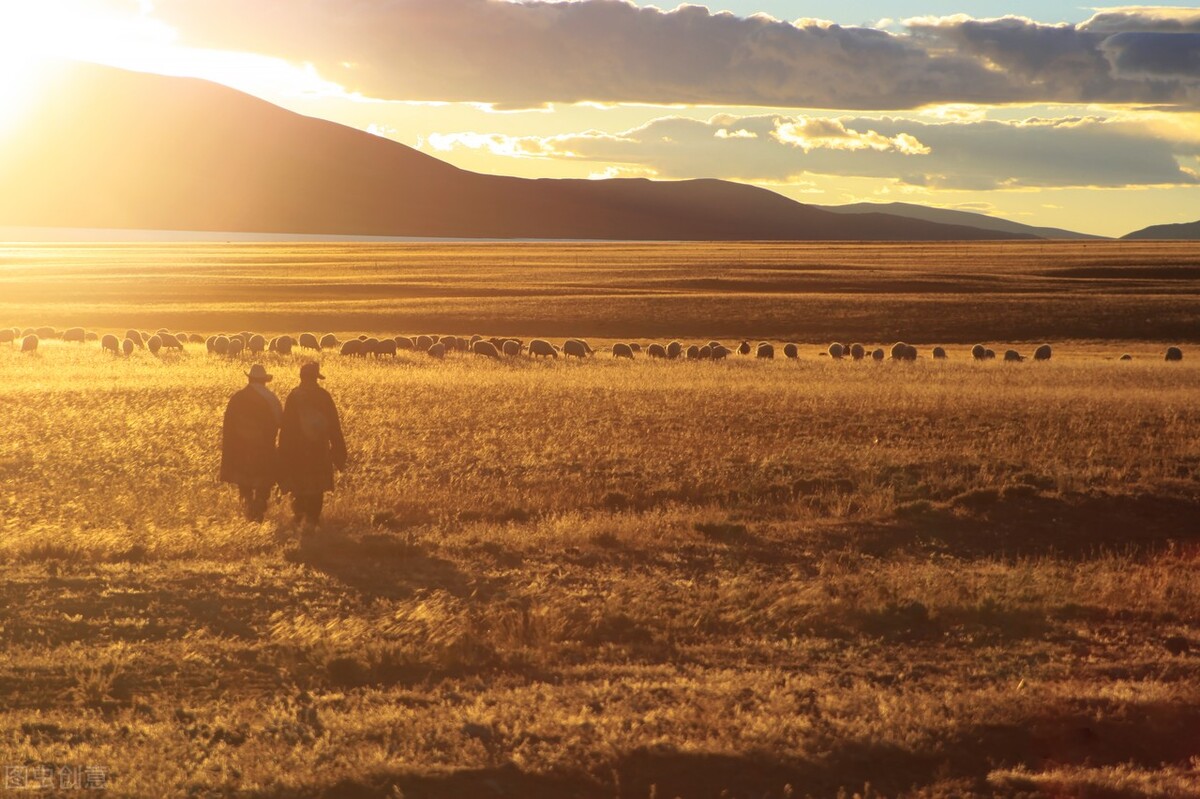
115,149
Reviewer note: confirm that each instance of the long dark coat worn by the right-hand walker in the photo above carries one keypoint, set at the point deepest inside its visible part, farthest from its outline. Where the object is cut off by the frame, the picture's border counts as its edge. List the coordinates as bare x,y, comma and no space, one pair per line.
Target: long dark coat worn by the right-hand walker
311,442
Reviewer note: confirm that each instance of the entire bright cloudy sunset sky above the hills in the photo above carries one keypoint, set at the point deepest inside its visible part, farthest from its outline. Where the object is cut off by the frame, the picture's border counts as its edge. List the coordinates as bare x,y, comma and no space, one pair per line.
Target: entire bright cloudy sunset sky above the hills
1045,113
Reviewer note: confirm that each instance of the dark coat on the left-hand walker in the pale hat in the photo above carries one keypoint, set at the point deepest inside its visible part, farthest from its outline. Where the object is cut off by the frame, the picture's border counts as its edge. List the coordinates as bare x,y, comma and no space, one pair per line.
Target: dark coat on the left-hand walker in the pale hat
248,441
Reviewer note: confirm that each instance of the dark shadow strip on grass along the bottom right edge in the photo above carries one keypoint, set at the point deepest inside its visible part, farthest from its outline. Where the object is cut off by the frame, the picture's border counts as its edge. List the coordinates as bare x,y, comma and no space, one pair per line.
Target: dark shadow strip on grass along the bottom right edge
1102,734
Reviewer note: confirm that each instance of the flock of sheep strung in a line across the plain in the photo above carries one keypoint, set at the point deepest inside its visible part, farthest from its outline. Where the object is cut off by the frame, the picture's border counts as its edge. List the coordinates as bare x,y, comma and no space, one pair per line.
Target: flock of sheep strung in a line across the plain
251,344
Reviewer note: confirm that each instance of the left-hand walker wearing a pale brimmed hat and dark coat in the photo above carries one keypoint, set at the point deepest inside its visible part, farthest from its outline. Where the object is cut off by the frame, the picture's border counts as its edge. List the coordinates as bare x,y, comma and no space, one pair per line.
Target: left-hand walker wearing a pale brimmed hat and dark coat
248,443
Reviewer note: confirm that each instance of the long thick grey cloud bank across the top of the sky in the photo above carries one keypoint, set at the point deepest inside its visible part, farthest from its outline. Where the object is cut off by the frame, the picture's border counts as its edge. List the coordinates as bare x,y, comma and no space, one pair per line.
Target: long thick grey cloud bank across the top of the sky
530,53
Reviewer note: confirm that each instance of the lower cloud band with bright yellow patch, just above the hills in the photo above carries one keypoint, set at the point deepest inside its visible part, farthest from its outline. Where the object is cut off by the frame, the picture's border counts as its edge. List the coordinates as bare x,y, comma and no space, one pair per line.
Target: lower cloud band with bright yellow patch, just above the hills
974,155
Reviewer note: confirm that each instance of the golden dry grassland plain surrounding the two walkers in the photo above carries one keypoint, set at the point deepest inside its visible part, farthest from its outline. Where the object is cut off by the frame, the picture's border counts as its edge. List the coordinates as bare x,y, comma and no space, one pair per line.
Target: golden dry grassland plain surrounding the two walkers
609,579
